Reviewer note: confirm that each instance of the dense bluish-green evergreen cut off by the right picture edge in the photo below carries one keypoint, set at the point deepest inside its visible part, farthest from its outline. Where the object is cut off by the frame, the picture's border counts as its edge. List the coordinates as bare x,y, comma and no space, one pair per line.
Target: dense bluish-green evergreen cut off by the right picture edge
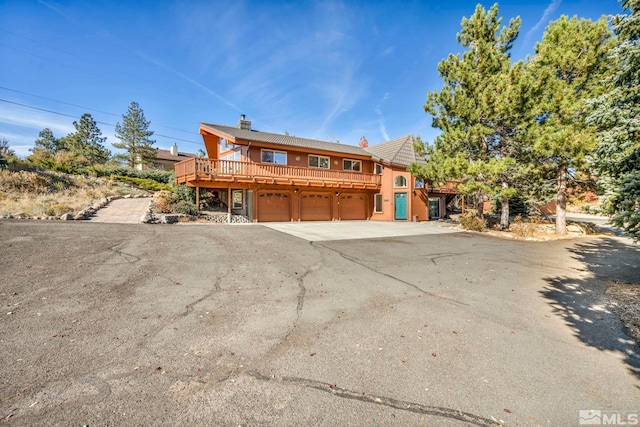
616,114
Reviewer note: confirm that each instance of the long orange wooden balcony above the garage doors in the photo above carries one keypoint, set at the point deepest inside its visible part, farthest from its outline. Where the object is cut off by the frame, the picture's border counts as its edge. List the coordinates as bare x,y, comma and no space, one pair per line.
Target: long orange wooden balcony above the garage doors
210,173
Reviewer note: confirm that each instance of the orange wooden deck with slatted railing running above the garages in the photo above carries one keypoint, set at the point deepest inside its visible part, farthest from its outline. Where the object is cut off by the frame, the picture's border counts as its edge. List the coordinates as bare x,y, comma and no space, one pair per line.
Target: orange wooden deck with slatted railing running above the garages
201,169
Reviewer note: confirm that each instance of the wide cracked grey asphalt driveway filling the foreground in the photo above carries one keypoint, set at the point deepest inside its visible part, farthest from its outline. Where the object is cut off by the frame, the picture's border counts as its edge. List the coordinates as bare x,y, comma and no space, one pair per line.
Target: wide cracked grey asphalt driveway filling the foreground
119,324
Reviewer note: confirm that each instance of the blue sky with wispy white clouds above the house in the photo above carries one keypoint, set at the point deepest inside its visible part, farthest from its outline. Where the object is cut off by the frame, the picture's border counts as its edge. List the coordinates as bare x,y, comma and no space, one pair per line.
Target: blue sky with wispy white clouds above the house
327,70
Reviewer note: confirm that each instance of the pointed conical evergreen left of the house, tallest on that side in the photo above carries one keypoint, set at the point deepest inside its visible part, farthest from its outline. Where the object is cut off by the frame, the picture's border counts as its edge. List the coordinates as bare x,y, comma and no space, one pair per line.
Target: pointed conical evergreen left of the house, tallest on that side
134,135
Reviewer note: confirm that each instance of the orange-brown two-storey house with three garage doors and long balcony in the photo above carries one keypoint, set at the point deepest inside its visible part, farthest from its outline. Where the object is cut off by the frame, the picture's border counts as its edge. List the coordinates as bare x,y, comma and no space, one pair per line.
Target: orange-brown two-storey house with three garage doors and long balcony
271,177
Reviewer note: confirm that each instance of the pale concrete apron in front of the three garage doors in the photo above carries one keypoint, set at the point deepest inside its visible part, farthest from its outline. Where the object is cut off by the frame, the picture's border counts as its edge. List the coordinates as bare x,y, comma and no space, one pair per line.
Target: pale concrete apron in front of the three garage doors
317,231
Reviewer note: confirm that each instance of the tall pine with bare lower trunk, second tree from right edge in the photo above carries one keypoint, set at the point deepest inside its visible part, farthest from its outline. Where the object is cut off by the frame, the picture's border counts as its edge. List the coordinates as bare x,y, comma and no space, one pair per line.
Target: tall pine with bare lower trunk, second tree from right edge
569,64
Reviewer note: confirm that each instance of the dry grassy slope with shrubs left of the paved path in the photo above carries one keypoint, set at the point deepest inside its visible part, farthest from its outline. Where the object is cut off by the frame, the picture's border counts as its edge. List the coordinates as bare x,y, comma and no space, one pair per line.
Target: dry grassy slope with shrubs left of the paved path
38,194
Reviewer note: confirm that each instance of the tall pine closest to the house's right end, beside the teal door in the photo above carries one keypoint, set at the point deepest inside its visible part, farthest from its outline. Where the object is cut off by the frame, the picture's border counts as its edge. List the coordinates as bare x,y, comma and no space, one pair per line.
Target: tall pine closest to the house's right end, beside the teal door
480,110
